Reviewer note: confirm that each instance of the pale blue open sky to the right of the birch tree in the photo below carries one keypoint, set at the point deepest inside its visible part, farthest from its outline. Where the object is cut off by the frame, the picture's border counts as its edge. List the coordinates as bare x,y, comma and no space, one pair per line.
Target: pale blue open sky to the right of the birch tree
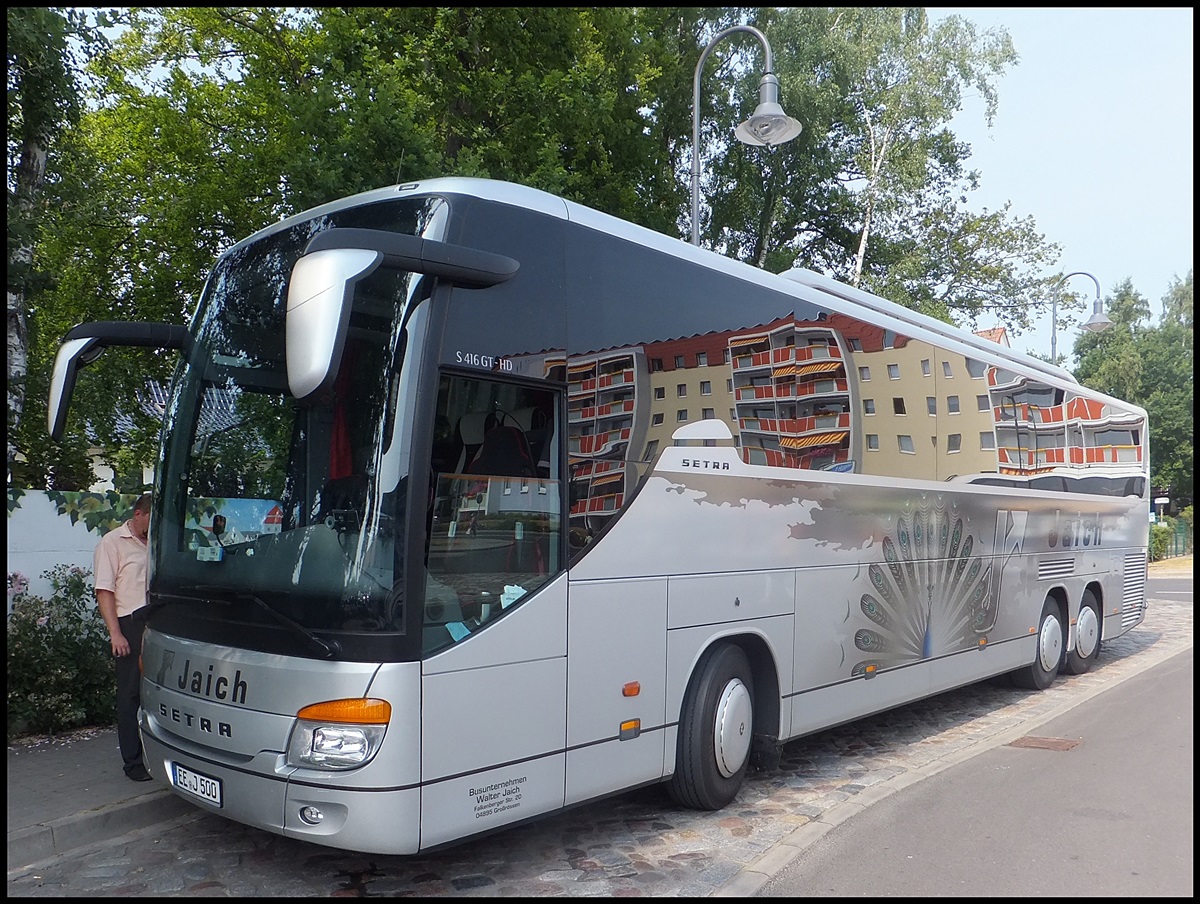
1094,140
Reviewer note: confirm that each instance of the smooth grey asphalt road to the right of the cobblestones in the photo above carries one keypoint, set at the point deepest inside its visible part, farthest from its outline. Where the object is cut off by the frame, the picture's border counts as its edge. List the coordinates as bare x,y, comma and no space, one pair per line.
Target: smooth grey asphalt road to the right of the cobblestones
1109,816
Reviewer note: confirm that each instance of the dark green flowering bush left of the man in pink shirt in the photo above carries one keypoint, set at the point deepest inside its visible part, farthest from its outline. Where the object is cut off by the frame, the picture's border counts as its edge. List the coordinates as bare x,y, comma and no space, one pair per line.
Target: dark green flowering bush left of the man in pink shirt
62,674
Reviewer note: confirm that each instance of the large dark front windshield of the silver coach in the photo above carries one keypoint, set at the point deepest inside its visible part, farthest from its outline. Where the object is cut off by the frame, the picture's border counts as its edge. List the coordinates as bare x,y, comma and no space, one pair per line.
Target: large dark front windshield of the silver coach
284,517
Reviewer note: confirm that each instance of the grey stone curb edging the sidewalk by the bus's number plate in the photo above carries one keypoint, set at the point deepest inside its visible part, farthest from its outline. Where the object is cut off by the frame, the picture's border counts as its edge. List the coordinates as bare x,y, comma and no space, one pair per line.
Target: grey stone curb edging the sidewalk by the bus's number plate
32,845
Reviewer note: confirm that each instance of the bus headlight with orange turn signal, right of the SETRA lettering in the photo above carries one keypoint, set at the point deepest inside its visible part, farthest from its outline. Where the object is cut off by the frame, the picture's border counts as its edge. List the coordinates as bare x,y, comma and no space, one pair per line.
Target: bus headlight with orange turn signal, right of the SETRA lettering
339,734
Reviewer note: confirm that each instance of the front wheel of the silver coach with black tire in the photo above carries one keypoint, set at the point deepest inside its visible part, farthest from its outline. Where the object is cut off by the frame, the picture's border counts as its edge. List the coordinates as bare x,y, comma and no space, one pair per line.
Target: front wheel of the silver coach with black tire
716,731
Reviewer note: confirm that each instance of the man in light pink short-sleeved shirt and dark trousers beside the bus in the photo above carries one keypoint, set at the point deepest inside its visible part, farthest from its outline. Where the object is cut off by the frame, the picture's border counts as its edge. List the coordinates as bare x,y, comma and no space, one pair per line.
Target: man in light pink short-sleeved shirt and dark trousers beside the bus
121,578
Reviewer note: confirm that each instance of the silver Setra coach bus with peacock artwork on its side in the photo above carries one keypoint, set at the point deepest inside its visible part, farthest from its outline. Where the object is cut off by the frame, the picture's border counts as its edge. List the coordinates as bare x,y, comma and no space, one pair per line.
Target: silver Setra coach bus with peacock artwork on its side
476,505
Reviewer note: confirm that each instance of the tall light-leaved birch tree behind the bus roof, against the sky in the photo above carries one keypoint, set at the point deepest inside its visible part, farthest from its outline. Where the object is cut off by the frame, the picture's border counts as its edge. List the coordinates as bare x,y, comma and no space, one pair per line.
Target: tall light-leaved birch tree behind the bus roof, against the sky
874,191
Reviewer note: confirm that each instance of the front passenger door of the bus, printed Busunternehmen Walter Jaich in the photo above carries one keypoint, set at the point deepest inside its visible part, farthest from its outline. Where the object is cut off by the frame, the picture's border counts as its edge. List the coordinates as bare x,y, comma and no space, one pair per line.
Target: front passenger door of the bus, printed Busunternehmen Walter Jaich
494,709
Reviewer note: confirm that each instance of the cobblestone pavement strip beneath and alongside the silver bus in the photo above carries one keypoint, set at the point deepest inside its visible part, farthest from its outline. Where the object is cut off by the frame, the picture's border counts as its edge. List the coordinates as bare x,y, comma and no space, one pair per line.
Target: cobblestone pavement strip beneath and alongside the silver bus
634,846
